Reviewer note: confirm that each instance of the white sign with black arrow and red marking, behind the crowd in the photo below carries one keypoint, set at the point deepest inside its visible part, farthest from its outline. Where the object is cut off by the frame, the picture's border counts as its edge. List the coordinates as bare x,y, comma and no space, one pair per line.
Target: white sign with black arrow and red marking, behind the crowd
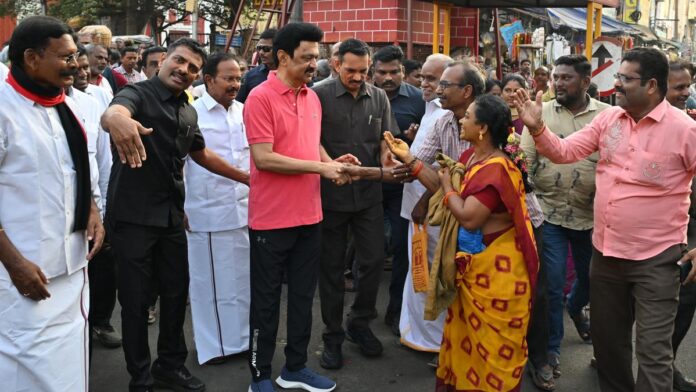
606,59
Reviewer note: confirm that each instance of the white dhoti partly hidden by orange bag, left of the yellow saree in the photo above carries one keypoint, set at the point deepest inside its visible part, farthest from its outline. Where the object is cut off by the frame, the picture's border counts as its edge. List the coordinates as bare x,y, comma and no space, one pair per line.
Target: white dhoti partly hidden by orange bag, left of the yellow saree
416,332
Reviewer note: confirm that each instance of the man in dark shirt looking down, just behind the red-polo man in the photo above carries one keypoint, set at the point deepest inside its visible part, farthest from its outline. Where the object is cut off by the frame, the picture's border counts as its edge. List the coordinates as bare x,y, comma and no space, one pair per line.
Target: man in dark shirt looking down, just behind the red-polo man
355,115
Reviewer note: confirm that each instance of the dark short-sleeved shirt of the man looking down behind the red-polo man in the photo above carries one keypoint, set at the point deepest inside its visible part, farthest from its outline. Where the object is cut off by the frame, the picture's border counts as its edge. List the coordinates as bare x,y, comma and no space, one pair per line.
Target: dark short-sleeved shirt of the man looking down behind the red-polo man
355,126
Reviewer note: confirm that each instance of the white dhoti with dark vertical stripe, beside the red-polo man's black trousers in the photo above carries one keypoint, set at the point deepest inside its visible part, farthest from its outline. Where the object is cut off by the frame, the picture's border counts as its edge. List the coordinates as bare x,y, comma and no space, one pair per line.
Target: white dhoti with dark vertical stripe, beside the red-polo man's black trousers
220,291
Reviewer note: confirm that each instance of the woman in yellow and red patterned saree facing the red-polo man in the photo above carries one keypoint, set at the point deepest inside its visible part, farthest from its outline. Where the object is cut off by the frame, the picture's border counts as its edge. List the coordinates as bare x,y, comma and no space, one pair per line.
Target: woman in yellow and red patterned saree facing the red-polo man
484,343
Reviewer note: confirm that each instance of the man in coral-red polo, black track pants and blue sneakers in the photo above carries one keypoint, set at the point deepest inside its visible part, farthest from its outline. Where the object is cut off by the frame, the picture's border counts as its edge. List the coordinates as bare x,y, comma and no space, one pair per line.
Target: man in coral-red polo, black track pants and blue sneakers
283,120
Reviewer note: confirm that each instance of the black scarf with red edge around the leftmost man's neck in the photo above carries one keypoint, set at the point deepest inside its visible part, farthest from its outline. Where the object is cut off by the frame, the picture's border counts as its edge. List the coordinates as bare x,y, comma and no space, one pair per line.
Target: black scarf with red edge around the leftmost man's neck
77,139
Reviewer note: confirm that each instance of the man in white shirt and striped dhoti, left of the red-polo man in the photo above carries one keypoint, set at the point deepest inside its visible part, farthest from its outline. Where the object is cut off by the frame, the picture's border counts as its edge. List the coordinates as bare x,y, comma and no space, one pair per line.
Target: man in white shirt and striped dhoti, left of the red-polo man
216,207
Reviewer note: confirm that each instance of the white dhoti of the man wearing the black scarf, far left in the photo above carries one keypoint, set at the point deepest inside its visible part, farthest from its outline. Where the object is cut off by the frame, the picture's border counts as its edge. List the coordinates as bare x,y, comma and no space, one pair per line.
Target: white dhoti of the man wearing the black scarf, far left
44,345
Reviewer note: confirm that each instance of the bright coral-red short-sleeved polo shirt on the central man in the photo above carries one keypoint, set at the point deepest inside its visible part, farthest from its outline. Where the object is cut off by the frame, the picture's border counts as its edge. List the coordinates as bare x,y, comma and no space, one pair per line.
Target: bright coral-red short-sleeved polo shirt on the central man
273,113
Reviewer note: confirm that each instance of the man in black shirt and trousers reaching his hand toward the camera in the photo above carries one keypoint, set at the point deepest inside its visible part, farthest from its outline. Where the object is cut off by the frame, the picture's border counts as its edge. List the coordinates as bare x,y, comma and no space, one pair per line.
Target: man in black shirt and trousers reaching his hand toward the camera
145,211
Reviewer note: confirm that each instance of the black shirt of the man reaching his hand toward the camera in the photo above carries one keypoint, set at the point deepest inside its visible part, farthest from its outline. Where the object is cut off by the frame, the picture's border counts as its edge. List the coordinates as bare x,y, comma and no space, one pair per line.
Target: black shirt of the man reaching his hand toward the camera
153,195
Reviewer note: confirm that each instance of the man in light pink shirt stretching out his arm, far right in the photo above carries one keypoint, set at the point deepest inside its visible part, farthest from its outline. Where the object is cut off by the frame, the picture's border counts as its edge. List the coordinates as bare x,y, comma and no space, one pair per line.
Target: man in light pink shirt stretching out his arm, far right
647,159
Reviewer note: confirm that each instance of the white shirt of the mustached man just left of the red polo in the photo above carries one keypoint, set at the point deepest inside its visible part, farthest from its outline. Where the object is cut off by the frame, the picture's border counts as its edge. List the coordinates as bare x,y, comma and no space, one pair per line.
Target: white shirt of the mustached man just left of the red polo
215,203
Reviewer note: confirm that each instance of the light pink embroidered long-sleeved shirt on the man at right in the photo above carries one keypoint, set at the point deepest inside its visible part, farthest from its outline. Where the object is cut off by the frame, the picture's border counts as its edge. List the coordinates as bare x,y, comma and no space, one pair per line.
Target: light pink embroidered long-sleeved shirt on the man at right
643,177
